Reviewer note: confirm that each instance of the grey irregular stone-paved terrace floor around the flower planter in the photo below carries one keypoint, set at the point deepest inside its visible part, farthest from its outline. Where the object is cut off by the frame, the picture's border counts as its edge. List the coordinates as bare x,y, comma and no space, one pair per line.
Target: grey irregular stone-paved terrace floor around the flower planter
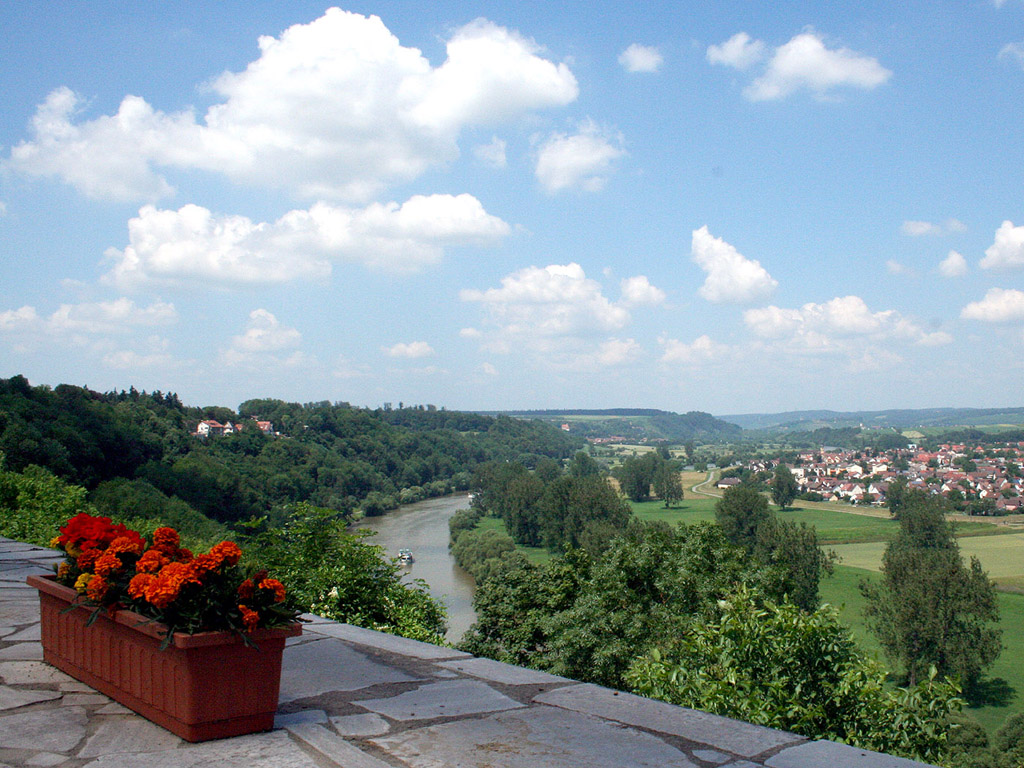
359,699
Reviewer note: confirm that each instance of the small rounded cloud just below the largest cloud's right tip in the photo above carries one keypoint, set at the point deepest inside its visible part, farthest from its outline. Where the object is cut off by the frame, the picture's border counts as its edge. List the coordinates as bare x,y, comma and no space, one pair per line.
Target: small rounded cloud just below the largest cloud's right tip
581,160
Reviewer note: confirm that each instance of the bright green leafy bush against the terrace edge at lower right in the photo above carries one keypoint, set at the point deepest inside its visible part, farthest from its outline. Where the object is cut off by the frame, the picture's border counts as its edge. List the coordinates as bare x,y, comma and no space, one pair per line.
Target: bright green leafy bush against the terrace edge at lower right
776,665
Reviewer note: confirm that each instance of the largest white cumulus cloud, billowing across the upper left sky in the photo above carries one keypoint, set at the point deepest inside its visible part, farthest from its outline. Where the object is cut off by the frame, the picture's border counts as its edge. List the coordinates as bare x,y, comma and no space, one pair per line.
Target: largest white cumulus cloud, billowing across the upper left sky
333,109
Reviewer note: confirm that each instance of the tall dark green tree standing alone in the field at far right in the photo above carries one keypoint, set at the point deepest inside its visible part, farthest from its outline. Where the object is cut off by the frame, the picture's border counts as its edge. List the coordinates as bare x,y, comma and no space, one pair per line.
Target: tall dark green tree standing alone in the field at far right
929,609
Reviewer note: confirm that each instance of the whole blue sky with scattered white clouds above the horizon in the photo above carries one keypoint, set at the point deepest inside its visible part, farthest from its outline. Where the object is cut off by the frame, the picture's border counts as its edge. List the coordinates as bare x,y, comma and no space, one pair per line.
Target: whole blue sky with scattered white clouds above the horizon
731,207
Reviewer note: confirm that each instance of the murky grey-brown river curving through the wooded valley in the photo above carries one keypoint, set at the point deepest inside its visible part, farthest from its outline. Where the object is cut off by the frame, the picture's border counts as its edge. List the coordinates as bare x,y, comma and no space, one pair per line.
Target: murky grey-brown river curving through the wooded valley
423,529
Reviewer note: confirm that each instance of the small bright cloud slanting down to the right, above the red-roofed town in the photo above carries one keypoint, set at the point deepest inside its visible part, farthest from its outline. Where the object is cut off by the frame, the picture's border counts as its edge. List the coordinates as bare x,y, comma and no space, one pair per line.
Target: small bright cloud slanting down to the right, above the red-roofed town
733,279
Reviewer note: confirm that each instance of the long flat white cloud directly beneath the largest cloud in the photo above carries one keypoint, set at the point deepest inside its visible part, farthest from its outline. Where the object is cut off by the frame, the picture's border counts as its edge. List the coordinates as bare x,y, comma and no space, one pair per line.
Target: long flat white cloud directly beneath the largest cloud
193,245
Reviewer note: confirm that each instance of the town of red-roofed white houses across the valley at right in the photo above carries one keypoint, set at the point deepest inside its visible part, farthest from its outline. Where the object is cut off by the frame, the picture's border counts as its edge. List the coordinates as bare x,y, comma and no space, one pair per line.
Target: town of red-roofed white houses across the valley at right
977,480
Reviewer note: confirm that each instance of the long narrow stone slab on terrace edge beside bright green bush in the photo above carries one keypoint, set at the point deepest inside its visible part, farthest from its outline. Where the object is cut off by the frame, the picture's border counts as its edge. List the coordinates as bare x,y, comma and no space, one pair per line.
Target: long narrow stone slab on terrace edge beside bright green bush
732,736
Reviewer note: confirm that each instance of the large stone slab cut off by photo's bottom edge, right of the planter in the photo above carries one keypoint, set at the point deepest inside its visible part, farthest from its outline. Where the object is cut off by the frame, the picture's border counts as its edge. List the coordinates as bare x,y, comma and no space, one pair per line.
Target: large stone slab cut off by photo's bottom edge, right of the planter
530,739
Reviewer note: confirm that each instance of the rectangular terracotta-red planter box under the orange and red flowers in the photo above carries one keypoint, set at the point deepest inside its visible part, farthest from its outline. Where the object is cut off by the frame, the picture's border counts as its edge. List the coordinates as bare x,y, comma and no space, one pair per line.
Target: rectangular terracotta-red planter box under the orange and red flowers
202,687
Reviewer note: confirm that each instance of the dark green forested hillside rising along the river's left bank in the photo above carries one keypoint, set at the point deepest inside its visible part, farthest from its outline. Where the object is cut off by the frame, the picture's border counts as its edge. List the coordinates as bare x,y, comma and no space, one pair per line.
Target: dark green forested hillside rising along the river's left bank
137,448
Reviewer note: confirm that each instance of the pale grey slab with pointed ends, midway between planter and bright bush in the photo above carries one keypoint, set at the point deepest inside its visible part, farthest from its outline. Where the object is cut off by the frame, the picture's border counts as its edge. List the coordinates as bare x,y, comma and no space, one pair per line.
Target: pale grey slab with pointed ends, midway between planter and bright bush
448,699
